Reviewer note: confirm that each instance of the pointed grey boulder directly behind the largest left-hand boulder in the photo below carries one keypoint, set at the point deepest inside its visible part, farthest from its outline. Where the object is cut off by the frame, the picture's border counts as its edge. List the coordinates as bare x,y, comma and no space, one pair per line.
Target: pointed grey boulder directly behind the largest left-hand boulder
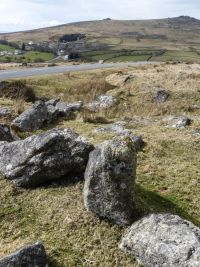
31,119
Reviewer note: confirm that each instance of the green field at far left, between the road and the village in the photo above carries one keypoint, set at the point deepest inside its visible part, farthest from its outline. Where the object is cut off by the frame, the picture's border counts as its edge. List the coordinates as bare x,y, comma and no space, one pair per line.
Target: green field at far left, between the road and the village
28,57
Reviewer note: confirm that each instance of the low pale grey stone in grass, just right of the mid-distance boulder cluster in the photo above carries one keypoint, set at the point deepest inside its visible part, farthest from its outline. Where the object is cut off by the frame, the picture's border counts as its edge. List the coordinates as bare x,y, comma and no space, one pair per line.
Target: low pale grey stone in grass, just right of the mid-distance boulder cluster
102,102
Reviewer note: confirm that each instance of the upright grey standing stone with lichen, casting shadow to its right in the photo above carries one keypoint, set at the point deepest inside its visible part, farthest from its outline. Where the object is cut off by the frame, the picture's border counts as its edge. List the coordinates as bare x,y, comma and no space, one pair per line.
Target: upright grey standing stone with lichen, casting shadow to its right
109,180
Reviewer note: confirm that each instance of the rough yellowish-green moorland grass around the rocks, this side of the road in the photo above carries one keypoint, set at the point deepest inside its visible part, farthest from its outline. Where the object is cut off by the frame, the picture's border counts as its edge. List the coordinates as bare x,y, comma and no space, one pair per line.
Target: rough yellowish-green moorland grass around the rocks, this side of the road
167,173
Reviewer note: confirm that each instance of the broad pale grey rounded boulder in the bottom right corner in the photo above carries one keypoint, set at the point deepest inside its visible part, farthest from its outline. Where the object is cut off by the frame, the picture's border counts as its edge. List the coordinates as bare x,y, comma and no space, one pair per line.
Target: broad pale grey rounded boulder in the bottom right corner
163,240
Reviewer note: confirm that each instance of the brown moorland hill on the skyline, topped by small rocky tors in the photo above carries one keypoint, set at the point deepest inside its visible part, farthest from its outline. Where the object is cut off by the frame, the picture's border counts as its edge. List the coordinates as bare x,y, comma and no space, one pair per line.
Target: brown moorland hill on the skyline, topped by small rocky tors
180,32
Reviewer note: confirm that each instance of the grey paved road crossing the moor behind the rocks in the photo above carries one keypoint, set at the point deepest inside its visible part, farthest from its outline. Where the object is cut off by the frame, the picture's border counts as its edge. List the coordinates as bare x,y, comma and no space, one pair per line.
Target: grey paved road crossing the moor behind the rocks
26,72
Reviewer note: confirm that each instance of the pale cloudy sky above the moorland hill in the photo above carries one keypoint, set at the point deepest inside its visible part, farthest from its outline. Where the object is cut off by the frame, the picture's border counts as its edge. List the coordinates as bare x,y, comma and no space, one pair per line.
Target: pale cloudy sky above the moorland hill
18,15
